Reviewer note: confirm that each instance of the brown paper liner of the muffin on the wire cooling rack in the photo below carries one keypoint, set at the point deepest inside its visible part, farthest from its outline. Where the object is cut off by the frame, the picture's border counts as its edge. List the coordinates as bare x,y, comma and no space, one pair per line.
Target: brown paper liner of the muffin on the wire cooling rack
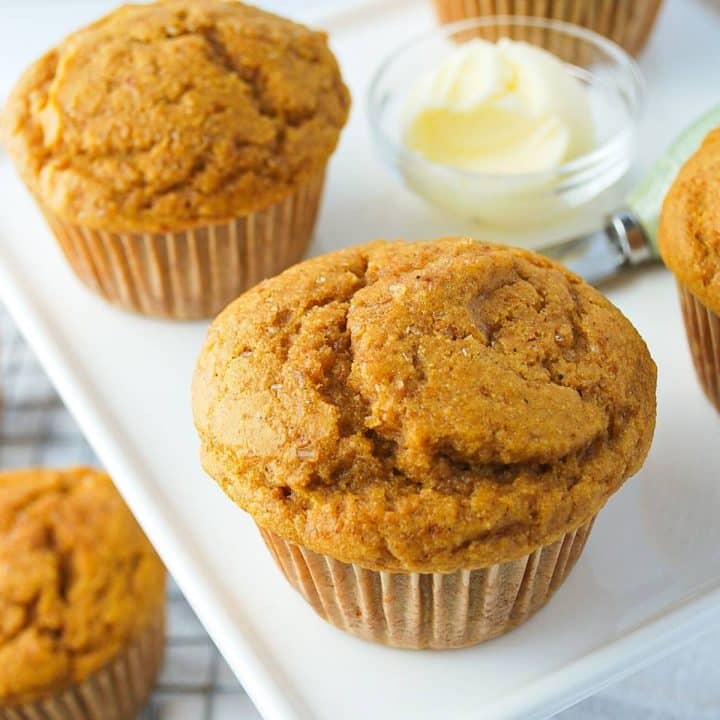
116,691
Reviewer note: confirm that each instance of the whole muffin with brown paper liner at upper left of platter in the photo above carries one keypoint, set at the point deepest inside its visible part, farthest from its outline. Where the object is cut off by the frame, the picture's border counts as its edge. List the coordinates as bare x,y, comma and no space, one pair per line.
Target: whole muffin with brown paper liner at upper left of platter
178,149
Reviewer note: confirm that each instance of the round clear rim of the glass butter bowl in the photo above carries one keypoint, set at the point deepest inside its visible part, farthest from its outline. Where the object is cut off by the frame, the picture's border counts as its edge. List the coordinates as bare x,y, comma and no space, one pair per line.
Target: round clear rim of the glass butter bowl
597,156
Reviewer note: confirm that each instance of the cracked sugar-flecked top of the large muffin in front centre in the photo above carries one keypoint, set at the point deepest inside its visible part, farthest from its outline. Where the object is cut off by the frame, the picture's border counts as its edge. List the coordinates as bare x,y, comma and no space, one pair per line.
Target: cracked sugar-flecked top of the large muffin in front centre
423,406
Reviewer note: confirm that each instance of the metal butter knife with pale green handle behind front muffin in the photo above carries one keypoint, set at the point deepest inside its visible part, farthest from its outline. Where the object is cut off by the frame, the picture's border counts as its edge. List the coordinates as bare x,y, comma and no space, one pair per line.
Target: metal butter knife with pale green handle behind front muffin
630,234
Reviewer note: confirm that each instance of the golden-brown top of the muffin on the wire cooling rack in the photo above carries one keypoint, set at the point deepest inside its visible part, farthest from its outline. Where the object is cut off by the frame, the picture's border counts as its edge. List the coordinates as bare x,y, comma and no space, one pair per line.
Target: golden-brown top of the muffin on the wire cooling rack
78,579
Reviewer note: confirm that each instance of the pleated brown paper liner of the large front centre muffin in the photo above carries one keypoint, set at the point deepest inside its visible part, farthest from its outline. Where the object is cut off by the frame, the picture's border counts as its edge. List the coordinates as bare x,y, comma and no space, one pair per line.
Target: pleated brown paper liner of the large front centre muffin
428,610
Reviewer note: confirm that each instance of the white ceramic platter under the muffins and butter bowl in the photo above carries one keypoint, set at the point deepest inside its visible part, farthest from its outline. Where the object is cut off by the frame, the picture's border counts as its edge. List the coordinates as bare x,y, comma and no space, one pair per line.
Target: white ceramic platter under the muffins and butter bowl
649,578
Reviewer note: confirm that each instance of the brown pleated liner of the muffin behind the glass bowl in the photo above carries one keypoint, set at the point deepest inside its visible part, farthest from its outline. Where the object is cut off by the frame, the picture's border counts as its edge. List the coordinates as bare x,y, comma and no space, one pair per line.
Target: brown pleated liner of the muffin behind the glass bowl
626,22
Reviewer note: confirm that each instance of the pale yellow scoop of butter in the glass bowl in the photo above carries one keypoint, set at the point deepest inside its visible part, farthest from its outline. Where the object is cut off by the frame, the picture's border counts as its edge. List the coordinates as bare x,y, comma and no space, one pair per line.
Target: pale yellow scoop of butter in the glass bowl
501,108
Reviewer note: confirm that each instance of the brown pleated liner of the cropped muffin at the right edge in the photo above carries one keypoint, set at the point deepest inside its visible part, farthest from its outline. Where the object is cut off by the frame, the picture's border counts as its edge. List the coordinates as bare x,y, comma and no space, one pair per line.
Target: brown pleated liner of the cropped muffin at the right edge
703,332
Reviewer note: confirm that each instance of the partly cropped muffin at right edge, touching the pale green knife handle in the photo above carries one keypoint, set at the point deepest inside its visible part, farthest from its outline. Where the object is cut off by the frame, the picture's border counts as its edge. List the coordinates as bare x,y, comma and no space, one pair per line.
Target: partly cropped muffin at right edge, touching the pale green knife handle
690,246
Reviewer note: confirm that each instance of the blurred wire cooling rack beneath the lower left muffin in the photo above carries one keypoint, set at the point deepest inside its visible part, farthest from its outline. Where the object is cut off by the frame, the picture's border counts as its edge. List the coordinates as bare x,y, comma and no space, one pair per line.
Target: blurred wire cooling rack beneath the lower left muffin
36,429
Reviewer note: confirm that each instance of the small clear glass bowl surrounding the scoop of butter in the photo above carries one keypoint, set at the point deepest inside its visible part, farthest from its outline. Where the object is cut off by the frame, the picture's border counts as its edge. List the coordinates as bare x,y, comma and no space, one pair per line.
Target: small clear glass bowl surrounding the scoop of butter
514,201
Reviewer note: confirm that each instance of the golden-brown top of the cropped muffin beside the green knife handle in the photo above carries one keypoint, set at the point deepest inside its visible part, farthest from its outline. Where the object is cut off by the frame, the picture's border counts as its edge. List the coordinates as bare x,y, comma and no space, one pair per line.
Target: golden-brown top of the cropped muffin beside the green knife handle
689,235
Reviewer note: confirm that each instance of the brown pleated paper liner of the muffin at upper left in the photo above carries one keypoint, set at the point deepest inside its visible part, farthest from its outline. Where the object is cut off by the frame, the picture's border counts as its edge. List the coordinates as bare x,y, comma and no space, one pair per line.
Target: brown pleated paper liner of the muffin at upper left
194,273
